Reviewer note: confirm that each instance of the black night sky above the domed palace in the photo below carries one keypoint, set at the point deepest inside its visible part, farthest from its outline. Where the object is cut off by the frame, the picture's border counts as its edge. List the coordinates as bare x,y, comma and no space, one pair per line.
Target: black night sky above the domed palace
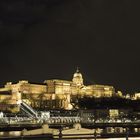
45,39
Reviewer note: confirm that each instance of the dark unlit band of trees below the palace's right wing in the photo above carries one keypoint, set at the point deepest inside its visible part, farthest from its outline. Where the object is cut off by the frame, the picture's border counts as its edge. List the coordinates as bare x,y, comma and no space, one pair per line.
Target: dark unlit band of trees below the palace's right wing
108,103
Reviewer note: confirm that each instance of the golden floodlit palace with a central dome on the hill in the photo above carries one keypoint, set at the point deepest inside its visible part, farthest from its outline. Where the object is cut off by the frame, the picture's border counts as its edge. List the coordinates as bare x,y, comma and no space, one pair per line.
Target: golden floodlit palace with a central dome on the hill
53,93
